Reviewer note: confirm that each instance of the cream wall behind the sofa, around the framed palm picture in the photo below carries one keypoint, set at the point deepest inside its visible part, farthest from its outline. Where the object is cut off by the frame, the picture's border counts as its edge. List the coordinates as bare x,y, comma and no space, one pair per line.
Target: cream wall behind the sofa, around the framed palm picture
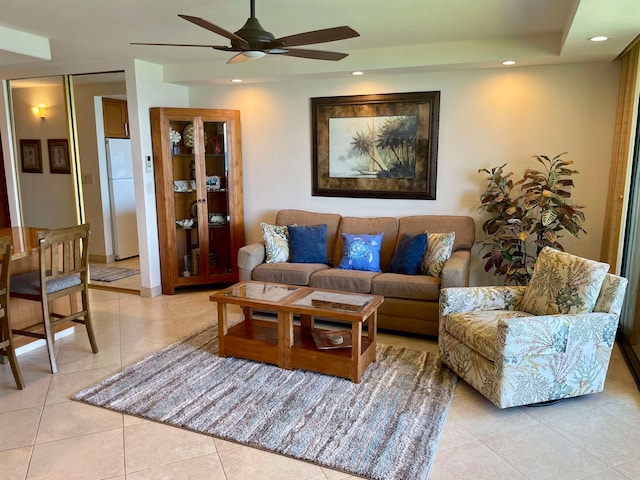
487,117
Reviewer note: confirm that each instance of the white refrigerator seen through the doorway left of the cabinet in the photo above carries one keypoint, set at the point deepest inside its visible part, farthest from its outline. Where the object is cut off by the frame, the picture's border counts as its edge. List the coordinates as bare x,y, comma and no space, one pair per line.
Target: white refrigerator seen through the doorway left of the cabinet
122,198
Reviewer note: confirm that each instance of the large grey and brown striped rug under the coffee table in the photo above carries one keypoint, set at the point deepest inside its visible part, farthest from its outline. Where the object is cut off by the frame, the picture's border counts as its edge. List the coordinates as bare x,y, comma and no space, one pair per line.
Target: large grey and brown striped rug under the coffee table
386,427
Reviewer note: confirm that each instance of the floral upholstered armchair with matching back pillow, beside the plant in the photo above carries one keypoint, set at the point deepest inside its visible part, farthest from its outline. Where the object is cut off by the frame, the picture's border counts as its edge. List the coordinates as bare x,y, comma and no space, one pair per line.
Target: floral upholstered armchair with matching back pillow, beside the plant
547,341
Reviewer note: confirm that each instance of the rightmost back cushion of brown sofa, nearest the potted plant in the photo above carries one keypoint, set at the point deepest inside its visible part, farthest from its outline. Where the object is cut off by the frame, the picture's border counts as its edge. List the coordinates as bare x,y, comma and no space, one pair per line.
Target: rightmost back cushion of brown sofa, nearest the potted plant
464,227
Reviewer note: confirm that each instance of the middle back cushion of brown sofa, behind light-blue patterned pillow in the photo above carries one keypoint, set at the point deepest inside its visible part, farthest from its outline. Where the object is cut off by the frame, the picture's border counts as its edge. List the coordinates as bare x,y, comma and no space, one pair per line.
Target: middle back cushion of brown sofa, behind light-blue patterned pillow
388,226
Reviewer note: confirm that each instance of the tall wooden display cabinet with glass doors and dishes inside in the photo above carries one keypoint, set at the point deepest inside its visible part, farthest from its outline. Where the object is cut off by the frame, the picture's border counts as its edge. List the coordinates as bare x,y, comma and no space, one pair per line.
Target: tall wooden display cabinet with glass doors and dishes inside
198,177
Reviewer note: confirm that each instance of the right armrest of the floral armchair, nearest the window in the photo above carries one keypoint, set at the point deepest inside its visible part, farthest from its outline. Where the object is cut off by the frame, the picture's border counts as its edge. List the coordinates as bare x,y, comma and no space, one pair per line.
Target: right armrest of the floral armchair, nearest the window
553,334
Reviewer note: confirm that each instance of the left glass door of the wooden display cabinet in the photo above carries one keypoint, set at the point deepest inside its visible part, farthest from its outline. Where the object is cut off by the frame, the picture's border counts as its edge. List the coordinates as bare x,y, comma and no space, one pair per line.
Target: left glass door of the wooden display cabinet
185,197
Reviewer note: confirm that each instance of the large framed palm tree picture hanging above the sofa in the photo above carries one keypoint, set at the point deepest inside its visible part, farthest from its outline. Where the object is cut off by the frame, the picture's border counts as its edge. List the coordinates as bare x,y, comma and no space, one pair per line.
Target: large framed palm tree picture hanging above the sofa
376,146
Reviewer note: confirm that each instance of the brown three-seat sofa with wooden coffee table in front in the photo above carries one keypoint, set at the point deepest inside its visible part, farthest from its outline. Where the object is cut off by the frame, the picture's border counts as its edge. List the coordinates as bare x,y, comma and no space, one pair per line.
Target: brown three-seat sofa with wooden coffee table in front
411,301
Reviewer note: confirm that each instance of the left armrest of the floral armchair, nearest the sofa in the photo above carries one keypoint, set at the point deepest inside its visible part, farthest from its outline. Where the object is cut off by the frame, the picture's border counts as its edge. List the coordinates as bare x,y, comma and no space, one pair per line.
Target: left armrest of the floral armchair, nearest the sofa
466,299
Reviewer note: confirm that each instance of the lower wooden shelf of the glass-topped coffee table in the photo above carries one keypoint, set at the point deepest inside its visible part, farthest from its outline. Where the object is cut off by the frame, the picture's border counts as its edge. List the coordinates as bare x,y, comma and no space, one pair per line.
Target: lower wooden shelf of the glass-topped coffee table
258,340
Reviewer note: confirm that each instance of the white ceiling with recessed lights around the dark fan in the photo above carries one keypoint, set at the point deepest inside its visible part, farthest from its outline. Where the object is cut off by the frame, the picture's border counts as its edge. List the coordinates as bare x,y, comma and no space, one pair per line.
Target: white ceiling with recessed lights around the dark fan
395,36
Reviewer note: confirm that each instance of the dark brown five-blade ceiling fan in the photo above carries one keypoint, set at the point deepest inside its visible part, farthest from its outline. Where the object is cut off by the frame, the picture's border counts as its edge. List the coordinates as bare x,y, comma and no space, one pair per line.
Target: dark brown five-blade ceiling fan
253,41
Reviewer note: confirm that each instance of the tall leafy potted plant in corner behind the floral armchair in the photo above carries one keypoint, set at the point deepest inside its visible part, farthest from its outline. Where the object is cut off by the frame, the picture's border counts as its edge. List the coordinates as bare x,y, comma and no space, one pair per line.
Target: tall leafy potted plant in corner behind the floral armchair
527,215
